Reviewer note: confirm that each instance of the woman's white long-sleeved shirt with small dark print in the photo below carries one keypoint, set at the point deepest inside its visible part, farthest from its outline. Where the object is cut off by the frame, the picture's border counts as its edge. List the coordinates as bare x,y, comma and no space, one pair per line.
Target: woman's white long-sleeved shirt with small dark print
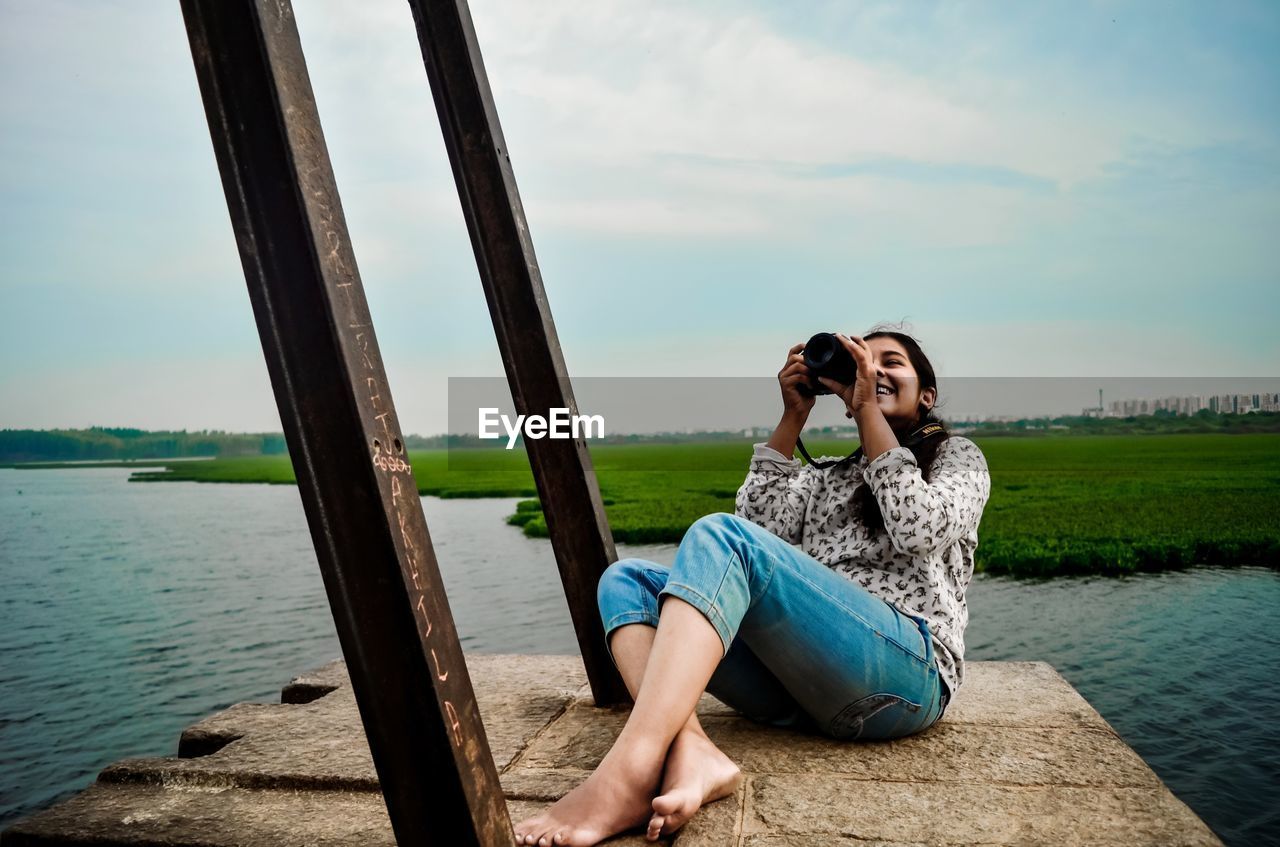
921,564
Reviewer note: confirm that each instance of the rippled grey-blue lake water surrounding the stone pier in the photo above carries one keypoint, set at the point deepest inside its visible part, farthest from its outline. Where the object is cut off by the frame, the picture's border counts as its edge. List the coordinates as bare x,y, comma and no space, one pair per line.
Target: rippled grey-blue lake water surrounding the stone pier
131,611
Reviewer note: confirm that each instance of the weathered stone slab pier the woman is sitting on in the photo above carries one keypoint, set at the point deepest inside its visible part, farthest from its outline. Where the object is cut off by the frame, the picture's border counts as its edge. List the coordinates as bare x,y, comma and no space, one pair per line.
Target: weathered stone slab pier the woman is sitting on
1021,758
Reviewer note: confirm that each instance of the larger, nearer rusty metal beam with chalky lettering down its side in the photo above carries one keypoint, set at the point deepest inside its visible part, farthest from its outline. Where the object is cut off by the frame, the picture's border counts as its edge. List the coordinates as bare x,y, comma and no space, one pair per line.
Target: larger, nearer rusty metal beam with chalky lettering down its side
362,502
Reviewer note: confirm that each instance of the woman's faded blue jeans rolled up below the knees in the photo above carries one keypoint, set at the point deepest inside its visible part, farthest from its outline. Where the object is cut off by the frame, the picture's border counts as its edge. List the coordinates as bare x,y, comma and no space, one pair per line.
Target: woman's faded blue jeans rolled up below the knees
804,647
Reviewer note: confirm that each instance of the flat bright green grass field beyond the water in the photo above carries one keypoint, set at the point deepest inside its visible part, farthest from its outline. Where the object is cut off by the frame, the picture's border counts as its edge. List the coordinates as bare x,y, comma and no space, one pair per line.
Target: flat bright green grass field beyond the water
1071,505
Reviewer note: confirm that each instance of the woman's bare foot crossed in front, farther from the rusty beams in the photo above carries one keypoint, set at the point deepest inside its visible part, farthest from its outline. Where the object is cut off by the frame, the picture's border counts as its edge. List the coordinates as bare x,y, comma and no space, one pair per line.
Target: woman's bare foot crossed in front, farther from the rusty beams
697,773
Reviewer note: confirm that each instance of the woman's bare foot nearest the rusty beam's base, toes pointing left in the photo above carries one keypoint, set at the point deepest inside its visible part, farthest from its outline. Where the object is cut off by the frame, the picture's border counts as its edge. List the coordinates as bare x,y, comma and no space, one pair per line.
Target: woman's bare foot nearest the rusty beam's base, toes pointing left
615,798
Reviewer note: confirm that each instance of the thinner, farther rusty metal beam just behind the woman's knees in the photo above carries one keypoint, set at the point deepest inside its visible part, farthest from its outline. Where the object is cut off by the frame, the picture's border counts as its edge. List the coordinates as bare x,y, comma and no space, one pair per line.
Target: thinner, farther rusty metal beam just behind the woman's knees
522,319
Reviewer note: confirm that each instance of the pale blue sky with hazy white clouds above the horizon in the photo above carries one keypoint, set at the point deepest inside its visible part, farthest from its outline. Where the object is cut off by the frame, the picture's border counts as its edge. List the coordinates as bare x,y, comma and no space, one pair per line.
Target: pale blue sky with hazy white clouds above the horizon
1052,190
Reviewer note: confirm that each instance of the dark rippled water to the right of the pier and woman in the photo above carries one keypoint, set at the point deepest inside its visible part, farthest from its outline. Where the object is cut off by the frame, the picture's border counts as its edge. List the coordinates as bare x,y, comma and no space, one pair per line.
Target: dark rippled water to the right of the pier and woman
1176,662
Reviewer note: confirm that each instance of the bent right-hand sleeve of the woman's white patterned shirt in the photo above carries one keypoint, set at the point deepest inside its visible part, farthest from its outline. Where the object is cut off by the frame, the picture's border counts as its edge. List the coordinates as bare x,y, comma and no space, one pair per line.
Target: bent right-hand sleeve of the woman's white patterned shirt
922,518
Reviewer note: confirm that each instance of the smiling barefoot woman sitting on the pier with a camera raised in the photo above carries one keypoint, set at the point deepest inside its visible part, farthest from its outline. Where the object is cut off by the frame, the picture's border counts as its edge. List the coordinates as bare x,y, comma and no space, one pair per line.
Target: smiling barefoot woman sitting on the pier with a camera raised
858,634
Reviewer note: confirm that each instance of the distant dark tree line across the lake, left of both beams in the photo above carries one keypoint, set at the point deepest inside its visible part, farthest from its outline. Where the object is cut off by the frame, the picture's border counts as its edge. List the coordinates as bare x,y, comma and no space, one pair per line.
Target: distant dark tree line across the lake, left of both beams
104,443
